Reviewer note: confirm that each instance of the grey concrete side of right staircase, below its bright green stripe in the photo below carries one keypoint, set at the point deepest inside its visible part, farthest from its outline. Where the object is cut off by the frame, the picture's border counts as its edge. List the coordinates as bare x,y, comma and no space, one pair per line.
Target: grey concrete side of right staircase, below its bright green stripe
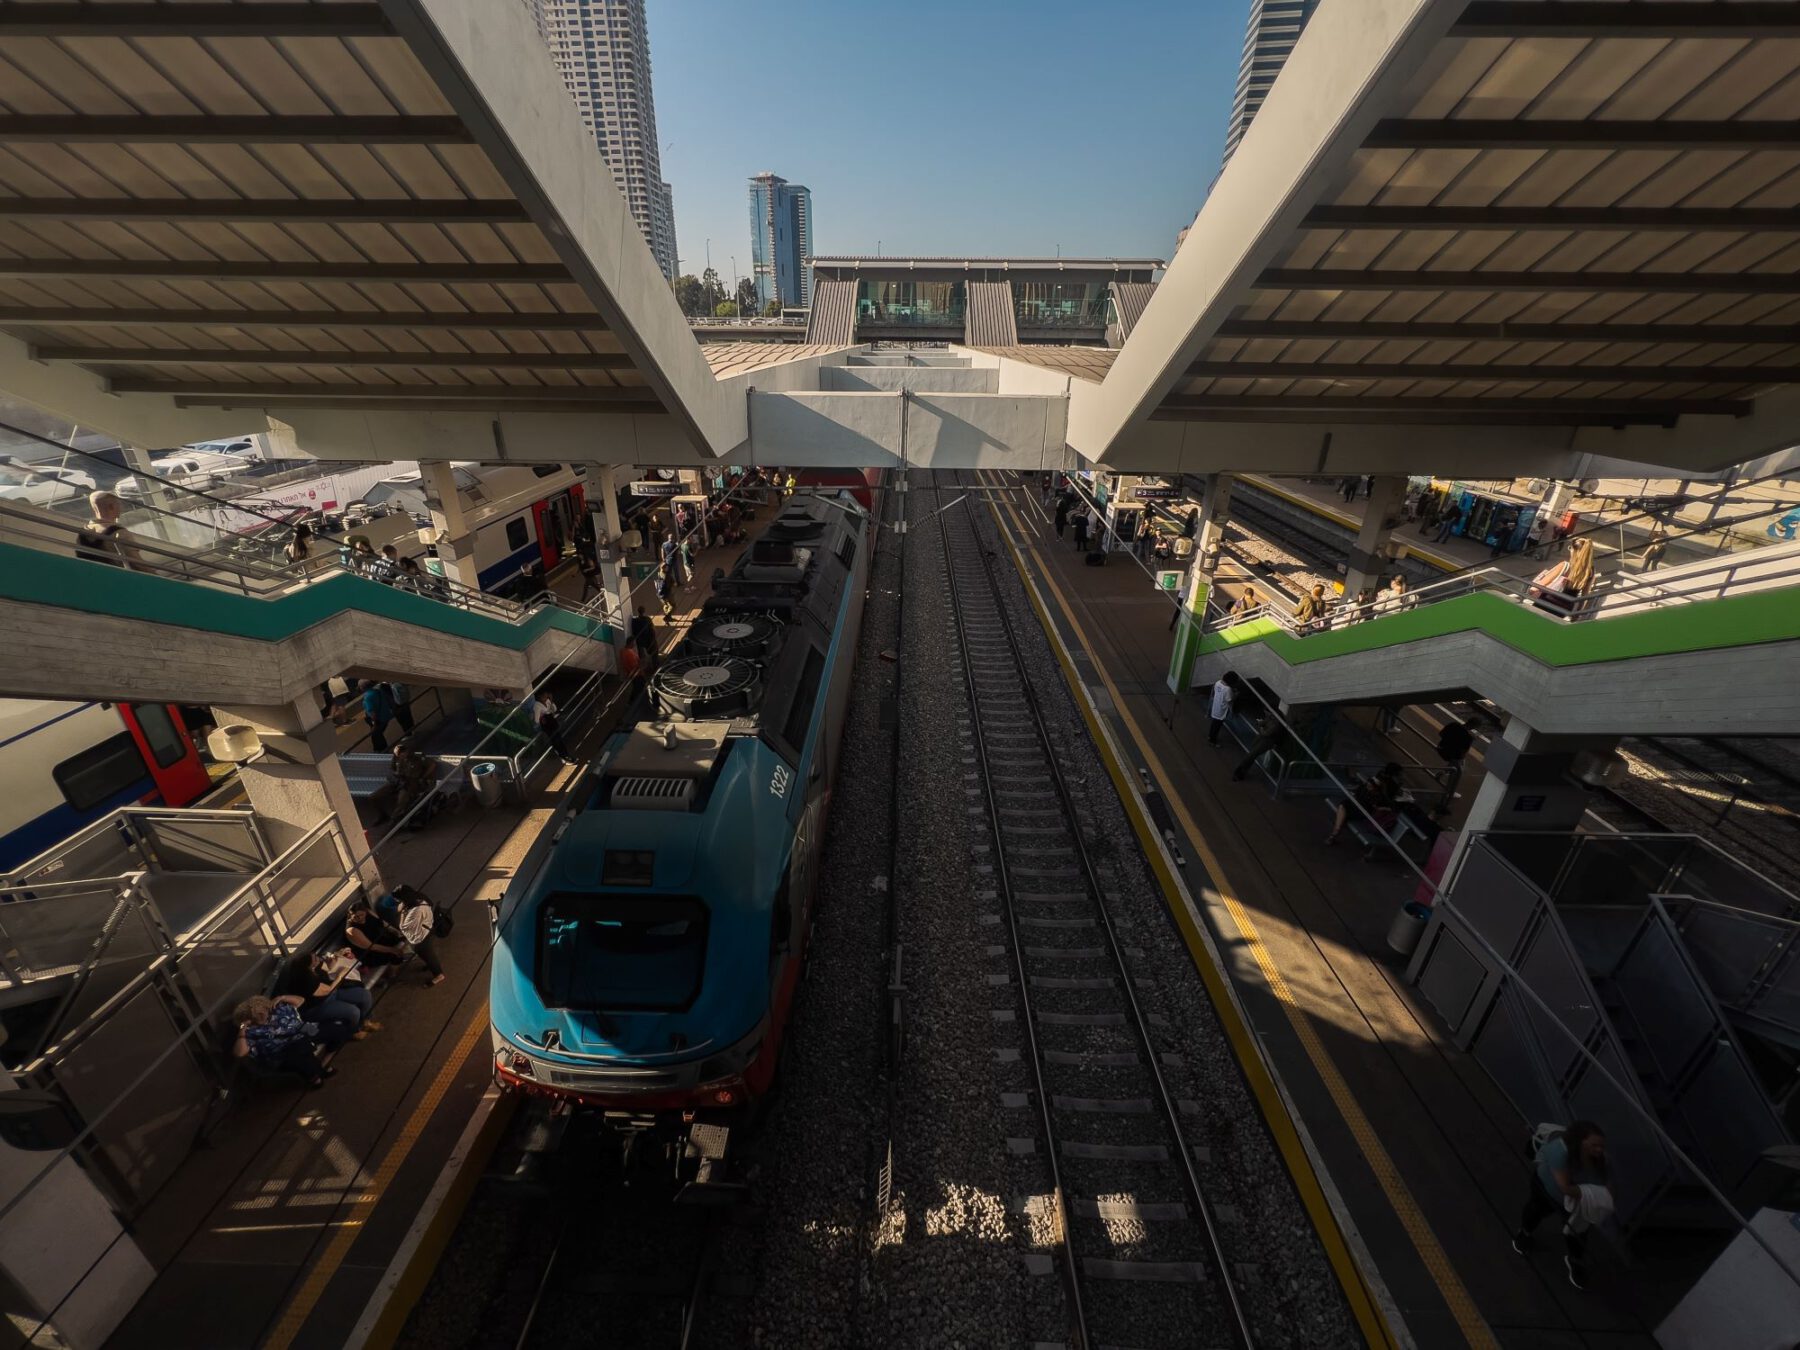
1734,692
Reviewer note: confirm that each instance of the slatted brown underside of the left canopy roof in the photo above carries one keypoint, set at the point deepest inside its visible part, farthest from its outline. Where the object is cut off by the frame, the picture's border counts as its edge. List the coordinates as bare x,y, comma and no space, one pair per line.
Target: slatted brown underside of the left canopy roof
213,202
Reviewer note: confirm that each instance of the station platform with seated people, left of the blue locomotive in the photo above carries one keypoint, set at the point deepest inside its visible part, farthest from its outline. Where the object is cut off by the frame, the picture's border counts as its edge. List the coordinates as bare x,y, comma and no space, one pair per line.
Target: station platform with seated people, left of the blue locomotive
310,1219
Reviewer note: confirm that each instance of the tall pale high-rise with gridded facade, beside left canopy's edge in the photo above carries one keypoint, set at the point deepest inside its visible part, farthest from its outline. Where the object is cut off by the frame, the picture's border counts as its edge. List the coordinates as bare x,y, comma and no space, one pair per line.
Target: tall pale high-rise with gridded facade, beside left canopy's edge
602,49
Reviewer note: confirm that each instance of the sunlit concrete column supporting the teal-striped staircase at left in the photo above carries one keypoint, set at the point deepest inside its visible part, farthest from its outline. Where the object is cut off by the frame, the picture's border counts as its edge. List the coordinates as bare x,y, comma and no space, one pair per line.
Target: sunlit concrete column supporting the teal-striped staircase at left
298,780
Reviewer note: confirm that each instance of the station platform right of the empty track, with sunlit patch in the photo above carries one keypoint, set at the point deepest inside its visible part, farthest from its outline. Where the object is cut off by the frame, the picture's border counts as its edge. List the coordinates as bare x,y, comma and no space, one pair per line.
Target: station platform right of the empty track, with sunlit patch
1423,1156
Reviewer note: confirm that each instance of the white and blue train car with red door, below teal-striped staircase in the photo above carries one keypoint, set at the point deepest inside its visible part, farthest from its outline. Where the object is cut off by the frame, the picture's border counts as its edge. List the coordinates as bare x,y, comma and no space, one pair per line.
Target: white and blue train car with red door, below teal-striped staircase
64,766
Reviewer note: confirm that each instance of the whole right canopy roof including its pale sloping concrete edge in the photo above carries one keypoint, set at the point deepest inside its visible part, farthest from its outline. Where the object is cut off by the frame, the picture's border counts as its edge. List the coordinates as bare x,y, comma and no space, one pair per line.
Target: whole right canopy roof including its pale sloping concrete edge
1500,215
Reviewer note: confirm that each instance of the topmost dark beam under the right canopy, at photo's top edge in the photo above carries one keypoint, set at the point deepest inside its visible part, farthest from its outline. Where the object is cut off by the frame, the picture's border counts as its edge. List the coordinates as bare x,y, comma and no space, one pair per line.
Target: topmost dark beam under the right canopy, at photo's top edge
1630,19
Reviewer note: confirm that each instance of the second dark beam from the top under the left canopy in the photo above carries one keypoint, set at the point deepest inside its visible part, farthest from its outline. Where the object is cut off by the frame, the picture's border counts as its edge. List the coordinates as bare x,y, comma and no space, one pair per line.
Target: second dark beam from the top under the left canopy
147,130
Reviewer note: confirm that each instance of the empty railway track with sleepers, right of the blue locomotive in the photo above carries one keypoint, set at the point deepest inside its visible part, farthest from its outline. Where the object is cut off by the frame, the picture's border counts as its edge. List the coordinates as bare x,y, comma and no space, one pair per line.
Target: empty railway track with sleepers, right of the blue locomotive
1135,1237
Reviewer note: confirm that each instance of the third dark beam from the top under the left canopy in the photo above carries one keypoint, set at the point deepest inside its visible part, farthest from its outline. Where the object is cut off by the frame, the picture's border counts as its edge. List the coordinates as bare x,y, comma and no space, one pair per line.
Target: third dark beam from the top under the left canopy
444,211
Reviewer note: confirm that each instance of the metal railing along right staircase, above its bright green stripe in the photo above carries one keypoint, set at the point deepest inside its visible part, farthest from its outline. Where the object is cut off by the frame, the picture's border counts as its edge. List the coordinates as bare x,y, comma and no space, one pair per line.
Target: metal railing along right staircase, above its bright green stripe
1612,598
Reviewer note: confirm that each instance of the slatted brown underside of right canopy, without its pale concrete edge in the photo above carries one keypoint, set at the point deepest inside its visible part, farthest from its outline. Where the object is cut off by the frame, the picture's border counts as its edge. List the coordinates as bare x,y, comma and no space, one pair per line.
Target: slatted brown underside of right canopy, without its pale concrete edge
1551,226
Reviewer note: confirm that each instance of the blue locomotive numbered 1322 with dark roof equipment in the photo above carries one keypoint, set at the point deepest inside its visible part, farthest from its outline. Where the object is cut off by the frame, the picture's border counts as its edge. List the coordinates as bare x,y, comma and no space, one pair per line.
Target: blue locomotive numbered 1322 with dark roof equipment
651,944
